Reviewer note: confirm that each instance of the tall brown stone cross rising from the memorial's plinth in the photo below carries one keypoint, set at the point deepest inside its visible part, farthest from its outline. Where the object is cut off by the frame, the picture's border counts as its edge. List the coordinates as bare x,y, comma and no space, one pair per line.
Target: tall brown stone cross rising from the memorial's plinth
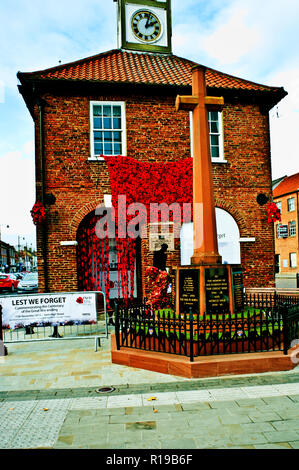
205,250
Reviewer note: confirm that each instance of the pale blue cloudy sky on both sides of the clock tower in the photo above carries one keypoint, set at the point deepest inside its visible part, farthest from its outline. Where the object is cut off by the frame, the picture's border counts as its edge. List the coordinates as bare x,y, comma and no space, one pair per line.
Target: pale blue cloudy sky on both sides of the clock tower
254,40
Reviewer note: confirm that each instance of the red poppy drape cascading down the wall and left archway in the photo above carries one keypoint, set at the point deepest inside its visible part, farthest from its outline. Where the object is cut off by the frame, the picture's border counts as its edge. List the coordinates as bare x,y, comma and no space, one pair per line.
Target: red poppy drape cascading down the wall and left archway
140,182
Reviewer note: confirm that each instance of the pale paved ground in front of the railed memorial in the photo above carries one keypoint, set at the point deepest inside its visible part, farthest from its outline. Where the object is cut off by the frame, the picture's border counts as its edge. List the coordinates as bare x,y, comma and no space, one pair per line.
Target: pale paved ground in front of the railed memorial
49,399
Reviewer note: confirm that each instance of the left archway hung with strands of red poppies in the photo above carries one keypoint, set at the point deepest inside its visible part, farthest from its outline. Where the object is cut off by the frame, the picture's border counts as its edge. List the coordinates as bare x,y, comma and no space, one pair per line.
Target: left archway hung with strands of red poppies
99,260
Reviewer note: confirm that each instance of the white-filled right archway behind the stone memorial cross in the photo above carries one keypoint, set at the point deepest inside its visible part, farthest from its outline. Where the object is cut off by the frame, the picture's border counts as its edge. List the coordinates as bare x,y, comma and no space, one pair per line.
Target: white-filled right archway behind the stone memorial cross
228,239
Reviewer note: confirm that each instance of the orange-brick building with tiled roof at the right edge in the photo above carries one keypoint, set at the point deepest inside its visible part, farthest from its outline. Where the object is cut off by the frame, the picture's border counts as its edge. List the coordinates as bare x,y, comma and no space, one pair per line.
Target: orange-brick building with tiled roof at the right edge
286,194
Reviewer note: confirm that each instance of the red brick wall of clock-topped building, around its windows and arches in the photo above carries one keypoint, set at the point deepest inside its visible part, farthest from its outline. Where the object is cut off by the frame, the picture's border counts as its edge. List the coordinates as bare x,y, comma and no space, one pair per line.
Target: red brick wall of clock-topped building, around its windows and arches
155,132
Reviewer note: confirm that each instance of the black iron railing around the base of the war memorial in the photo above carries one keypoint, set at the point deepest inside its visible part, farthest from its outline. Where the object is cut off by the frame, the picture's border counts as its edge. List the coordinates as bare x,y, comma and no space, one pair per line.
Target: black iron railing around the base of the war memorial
265,324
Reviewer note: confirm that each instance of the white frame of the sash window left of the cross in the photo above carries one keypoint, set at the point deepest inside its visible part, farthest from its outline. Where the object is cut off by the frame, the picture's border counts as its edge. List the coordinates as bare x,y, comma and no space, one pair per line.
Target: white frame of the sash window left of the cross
123,130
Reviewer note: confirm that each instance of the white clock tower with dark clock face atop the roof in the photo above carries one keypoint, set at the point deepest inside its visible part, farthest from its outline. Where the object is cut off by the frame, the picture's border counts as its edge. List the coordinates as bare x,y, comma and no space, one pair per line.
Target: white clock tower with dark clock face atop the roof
145,25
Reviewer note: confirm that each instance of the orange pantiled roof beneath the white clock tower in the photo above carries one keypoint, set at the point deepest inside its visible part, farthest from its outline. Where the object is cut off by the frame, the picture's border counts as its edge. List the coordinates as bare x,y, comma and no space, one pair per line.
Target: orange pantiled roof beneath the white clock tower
119,66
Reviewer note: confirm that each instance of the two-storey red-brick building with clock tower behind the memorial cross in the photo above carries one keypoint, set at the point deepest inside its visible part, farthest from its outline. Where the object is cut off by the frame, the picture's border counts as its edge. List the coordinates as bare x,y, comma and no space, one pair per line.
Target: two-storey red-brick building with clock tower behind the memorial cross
122,102
